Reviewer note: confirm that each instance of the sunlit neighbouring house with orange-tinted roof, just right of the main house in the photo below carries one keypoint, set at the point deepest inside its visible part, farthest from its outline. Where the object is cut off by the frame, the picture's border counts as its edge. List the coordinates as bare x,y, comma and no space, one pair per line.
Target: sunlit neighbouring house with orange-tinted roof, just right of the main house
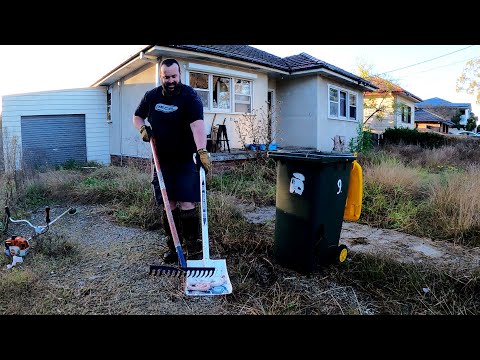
390,106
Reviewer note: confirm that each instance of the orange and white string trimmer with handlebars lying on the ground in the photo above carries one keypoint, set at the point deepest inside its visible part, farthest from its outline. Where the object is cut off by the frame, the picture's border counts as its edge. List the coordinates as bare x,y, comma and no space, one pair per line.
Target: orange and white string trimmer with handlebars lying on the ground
17,247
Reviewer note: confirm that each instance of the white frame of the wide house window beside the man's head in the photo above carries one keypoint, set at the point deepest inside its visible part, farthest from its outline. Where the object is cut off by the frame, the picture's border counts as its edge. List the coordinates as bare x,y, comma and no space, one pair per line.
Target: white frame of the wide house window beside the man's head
233,80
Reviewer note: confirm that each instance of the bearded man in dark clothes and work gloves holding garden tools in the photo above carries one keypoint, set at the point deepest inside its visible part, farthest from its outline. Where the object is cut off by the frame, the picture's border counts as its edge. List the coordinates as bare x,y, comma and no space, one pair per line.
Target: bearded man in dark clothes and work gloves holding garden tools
175,114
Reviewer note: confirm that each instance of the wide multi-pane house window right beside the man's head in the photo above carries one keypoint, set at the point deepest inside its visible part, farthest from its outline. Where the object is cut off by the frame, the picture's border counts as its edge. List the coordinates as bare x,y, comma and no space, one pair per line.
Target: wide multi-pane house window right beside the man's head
222,93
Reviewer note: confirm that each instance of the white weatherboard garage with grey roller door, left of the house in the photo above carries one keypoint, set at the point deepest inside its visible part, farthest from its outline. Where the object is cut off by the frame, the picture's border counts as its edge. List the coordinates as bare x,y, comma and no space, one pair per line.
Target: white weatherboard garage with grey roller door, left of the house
48,128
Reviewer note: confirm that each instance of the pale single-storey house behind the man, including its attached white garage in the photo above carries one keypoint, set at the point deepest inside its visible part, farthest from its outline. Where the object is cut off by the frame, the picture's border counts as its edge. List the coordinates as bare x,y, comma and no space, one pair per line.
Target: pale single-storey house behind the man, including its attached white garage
312,103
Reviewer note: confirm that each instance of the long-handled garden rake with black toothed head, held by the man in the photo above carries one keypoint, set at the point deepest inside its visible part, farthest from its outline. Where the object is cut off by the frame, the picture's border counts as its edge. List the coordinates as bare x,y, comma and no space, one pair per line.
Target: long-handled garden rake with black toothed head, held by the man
183,270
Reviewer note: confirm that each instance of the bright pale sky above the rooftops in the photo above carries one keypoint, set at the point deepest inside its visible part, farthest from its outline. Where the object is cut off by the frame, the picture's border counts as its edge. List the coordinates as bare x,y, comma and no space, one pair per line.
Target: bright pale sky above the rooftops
427,71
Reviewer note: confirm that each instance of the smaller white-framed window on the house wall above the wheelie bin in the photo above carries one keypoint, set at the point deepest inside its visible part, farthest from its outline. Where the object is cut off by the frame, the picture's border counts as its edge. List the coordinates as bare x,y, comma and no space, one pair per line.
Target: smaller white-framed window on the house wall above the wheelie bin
342,104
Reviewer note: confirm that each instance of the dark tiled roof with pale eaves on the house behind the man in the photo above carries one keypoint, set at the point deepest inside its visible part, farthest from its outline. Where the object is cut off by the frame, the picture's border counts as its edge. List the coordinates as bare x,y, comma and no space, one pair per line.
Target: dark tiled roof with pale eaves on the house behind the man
291,65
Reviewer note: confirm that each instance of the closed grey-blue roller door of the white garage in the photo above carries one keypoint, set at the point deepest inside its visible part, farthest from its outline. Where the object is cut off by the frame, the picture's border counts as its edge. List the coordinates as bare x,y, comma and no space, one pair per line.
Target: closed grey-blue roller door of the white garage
51,140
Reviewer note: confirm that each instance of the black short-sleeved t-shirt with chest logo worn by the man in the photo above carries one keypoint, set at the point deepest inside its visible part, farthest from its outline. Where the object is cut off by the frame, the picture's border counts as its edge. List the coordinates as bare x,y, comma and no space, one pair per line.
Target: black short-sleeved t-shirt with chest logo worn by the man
170,117
